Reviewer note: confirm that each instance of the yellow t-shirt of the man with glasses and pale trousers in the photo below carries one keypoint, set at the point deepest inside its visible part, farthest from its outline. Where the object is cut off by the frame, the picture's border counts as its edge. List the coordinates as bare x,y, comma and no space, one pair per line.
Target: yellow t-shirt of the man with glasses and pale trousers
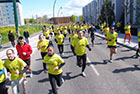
16,65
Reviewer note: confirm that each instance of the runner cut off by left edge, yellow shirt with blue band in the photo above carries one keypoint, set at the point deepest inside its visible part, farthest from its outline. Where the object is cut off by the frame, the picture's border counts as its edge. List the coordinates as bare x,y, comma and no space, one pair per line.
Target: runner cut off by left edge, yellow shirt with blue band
3,80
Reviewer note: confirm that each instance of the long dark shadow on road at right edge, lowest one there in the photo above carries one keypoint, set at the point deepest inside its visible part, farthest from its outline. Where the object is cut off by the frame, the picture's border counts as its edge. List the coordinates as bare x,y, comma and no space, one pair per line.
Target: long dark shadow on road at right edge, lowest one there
134,68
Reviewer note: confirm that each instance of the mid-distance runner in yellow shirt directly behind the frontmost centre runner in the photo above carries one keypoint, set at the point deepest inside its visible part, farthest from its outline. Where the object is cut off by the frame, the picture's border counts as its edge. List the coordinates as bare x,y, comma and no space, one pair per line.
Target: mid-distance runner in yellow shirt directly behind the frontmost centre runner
59,39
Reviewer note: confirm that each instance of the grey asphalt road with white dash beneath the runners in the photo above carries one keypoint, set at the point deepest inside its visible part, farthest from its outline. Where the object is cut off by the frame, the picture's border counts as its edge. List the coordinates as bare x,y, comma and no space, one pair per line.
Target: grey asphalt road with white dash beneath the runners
120,77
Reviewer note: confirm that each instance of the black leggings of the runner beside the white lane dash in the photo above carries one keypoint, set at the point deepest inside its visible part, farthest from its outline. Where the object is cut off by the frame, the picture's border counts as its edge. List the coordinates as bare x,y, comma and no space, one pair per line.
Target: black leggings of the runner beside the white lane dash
81,60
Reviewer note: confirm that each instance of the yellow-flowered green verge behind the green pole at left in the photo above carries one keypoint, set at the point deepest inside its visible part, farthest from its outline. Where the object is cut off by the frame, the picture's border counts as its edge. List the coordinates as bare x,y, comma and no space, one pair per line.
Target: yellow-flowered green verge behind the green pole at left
30,28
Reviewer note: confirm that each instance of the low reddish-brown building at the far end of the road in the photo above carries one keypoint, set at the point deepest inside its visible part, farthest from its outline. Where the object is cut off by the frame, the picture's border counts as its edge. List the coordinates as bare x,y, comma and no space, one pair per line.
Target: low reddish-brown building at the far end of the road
60,20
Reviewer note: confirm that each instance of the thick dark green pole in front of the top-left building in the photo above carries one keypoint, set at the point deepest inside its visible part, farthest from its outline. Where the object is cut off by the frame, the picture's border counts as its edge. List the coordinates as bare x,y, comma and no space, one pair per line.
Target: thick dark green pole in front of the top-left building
16,17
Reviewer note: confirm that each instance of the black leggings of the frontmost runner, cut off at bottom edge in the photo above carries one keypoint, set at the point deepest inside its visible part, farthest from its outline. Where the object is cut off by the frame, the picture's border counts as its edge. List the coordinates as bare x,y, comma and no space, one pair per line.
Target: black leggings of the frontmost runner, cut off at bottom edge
55,79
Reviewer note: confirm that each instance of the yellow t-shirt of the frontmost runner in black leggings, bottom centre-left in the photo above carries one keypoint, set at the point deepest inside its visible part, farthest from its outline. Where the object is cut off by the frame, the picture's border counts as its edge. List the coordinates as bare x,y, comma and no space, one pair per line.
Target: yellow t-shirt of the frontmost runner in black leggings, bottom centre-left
52,62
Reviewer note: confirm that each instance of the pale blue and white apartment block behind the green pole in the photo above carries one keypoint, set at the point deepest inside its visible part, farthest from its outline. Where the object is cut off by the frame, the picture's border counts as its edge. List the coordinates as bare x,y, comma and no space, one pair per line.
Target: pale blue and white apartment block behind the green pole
7,13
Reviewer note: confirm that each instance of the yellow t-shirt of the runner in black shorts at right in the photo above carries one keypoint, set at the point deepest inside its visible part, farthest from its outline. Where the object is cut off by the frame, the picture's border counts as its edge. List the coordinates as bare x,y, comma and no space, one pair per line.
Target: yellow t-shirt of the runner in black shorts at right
113,37
